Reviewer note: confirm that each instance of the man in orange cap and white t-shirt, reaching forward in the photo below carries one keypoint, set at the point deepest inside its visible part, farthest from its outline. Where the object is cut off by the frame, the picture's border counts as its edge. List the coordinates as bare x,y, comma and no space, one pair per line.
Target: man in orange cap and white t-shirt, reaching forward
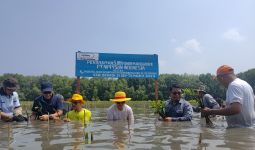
239,109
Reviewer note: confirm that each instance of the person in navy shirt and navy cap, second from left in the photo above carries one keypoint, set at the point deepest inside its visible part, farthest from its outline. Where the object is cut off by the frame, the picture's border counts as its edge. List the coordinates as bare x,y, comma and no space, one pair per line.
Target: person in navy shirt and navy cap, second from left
48,105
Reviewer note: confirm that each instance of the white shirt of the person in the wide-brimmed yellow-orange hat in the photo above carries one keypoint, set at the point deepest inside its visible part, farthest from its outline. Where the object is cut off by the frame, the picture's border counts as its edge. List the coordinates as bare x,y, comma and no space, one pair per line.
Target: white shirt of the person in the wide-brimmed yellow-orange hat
126,114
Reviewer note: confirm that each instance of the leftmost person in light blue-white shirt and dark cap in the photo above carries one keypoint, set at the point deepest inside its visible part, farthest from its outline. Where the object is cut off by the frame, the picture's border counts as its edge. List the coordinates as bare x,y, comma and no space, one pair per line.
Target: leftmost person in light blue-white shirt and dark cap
10,108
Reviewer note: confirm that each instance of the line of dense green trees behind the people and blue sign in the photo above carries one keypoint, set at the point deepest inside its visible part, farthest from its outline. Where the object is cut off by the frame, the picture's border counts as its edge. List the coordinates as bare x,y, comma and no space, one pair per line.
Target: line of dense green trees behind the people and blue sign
95,89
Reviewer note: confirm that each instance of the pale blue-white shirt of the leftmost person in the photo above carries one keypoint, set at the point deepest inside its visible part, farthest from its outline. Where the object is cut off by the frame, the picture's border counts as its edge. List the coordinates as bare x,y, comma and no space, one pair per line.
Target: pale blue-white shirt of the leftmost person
8,103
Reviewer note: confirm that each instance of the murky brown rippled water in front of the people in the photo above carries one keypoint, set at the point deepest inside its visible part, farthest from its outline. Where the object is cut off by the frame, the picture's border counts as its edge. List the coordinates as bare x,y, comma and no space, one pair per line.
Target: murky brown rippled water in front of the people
146,133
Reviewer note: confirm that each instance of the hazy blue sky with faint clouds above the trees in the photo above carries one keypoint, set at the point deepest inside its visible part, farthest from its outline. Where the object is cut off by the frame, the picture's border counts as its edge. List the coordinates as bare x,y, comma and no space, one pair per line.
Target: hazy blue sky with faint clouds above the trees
189,36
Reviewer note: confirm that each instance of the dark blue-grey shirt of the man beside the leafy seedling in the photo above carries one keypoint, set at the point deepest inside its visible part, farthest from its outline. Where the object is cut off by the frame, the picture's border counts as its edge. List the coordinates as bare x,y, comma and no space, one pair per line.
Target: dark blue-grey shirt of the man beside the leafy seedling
178,111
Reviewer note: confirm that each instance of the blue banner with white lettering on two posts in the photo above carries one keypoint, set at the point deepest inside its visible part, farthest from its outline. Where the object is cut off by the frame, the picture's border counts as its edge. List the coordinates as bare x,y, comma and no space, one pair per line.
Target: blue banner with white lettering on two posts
110,65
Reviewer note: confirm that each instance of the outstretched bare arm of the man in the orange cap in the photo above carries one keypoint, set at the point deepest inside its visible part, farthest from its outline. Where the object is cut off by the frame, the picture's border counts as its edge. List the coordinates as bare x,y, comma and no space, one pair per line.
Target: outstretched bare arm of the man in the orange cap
234,108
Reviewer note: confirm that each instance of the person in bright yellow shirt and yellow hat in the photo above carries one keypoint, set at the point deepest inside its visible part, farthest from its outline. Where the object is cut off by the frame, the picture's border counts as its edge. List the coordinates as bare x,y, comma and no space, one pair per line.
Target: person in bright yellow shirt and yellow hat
78,113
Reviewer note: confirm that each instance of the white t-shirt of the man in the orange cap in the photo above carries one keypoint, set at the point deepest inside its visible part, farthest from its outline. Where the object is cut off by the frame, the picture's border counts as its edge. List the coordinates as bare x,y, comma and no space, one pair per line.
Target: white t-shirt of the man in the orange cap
241,92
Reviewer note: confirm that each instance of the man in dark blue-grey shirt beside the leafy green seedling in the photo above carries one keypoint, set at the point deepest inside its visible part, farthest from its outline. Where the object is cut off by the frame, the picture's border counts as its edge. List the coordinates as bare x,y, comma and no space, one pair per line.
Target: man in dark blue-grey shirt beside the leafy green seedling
176,108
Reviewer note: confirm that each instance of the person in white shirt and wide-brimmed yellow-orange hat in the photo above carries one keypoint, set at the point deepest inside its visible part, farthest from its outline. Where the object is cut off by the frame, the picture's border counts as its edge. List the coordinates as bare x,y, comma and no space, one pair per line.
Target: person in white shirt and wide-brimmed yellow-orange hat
119,110
